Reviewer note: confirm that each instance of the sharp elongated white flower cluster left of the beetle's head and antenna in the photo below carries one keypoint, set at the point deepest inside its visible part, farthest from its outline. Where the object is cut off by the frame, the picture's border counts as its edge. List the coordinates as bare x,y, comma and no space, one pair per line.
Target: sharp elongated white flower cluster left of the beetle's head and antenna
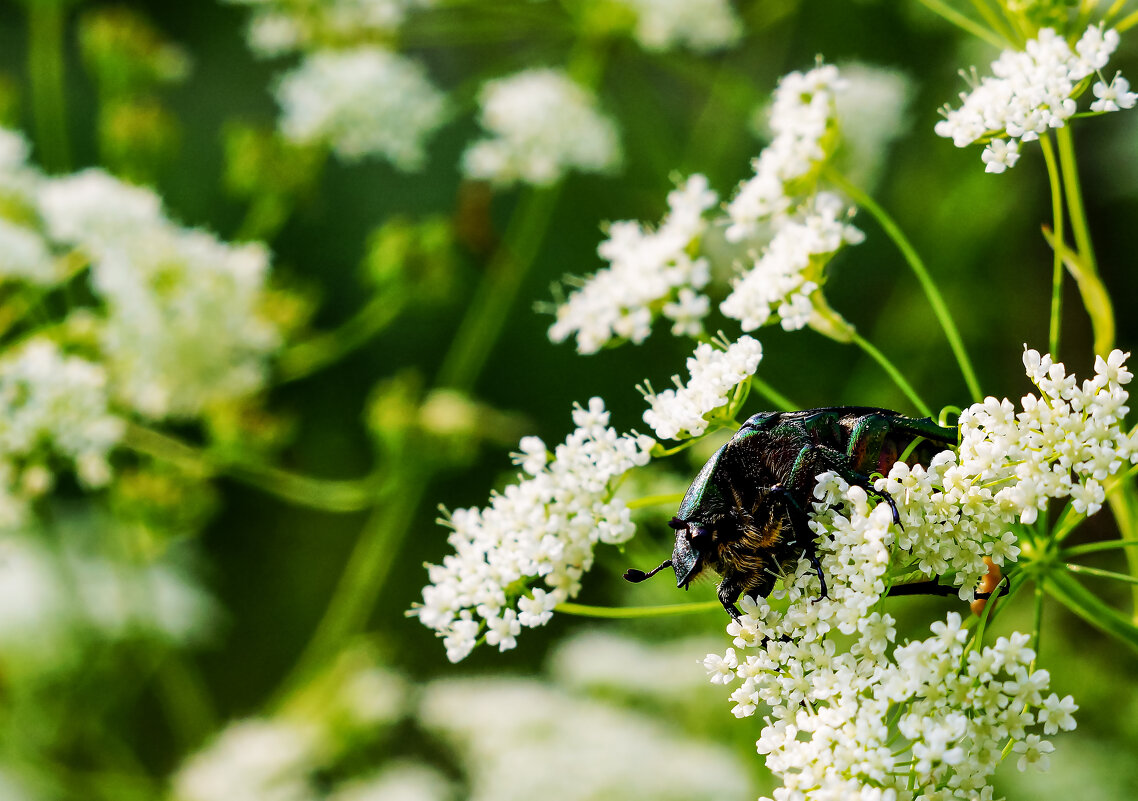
545,527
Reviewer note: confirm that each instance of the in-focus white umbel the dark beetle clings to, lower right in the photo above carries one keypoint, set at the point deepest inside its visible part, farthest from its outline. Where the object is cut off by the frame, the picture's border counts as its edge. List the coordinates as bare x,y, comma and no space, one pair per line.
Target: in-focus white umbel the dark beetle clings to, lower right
865,717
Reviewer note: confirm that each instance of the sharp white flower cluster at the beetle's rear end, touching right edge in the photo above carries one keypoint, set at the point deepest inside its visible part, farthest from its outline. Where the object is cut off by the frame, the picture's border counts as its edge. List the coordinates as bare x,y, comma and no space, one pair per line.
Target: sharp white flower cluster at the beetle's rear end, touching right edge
1066,443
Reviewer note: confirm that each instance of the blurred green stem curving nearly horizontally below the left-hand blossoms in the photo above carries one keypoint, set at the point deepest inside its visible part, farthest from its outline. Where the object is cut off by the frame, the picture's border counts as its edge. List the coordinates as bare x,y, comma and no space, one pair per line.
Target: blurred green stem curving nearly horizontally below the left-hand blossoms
324,494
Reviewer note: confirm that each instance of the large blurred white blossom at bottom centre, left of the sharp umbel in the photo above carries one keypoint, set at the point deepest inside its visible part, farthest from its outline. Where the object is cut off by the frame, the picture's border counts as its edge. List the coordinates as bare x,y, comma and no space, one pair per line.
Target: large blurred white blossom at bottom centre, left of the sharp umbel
513,737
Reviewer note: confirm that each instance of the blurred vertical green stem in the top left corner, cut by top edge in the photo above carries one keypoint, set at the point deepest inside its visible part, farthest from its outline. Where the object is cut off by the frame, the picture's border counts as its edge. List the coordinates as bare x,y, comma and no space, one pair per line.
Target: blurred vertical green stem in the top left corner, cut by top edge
46,21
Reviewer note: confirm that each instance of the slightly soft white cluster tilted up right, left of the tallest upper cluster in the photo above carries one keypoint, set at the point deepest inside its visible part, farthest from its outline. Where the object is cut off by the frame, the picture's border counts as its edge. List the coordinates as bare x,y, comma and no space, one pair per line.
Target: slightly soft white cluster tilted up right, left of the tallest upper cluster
650,272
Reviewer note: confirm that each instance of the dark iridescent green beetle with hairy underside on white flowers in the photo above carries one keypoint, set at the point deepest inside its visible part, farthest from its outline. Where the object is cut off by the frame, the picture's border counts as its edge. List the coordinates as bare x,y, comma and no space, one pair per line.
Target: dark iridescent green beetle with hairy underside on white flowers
745,516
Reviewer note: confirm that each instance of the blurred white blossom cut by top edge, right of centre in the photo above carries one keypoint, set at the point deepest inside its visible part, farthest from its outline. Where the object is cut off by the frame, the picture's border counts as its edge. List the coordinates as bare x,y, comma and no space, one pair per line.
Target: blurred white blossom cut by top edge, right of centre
700,26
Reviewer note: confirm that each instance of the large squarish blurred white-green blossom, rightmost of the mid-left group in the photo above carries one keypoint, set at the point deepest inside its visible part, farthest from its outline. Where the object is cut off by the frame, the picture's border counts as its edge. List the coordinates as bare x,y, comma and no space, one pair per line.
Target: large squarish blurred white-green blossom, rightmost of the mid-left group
184,328
